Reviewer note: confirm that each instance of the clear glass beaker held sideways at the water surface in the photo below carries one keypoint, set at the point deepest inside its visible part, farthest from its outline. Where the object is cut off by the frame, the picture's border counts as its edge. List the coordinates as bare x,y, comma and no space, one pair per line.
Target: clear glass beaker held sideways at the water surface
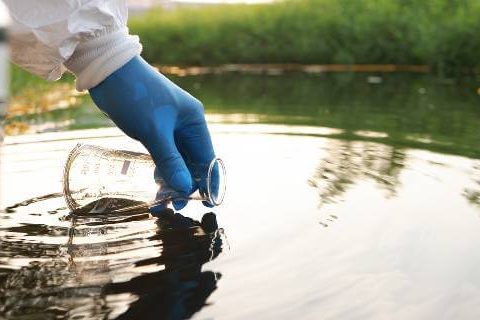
126,179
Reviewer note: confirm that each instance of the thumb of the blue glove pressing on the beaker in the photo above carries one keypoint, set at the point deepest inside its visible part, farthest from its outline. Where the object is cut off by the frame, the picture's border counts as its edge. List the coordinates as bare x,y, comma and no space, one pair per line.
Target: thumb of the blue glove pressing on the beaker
170,165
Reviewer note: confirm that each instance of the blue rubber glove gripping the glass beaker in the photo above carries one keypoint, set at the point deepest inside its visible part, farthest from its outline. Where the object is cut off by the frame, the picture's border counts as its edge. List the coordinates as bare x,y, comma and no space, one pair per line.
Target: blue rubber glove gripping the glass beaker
167,120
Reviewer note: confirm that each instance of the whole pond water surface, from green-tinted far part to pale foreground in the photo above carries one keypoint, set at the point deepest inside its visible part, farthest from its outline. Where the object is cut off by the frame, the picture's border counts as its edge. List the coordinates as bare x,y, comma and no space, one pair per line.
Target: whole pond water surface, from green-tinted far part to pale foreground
366,205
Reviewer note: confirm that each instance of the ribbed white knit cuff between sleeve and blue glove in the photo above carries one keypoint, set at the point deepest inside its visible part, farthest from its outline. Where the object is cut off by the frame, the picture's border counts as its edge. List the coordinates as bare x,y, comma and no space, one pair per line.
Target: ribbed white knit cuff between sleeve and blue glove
98,58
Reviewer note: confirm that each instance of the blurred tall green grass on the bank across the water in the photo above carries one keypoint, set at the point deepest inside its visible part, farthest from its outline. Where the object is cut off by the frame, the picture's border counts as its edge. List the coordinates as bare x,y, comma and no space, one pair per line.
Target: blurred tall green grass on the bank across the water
439,33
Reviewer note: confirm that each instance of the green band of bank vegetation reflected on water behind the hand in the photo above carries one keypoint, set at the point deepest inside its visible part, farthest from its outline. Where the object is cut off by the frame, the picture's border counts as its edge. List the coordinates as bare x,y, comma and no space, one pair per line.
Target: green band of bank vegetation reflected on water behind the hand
403,110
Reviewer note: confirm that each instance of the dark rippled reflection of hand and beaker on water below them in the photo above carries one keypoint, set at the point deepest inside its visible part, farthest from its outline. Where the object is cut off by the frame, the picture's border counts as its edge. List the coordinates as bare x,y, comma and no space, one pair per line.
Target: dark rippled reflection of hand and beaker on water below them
130,266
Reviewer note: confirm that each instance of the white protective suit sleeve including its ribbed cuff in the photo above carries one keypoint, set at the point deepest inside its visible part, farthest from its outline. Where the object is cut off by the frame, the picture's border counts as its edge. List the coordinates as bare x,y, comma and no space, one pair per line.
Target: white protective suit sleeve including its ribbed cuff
88,37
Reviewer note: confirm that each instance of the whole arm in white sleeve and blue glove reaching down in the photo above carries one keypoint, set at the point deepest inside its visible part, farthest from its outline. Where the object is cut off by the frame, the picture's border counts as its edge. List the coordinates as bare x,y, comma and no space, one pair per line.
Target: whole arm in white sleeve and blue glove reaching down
90,38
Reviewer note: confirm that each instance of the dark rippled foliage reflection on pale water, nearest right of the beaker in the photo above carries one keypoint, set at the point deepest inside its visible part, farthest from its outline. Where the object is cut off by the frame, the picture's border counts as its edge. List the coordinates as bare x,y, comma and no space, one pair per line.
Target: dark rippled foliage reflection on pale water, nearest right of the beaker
348,162
